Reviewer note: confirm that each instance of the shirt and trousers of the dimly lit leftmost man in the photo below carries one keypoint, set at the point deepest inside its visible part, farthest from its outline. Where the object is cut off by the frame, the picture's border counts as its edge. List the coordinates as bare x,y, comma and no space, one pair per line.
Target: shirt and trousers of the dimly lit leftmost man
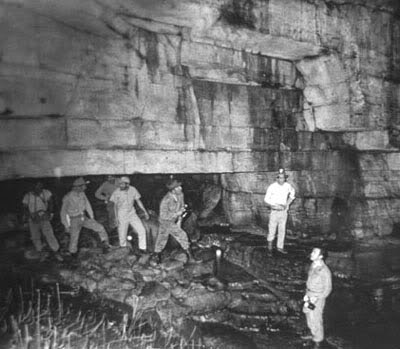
39,221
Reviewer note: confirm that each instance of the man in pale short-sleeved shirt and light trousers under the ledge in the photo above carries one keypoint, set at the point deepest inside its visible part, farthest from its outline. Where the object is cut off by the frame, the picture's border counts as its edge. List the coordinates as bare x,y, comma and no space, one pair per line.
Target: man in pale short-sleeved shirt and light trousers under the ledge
124,199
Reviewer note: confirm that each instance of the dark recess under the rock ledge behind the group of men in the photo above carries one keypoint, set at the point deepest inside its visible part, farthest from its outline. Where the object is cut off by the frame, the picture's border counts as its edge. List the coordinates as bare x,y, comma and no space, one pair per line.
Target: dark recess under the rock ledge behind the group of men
151,187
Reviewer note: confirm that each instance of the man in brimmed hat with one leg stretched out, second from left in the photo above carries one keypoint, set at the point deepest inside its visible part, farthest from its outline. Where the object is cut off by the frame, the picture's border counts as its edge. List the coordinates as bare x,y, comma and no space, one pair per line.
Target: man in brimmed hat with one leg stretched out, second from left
76,213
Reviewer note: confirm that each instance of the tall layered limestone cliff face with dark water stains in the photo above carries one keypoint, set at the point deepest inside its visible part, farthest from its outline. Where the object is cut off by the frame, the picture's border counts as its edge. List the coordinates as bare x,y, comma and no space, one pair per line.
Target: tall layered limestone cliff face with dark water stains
234,87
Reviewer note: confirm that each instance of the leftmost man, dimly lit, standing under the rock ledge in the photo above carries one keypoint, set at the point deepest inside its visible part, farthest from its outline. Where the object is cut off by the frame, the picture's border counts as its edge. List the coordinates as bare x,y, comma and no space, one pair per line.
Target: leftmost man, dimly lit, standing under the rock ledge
38,207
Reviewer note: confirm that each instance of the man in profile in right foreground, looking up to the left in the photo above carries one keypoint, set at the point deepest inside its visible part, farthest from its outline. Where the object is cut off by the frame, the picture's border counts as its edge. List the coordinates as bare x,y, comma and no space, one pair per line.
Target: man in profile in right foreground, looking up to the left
319,286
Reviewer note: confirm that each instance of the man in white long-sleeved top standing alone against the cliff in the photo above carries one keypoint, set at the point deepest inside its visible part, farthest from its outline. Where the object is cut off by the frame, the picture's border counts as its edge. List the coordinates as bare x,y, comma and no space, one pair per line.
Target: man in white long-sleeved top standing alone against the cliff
278,197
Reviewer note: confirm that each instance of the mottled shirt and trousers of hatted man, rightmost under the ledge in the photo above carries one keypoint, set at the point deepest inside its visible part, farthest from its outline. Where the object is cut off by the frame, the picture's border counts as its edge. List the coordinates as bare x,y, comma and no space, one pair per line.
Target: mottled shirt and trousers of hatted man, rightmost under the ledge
169,207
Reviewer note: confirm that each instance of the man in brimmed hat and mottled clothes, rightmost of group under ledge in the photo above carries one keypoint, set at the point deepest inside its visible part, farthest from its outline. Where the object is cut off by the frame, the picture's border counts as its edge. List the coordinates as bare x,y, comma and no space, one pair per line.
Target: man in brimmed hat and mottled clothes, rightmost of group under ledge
172,207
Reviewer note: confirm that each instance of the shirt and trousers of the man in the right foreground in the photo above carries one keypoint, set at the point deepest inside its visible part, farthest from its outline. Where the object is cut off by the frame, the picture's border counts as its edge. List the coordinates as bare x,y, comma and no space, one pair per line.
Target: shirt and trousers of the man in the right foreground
319,285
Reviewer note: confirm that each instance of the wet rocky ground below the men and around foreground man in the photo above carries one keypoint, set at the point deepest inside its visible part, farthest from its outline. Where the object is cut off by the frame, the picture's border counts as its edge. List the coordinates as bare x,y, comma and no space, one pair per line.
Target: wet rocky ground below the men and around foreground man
248,299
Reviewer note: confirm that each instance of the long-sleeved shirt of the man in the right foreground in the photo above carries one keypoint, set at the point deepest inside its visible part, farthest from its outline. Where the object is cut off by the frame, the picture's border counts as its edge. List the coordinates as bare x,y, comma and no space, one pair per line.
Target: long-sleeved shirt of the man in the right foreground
319,281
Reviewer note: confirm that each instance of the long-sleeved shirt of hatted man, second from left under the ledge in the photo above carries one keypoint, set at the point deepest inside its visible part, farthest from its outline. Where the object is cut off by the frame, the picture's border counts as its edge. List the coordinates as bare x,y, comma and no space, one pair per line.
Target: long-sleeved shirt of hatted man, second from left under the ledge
75,204
